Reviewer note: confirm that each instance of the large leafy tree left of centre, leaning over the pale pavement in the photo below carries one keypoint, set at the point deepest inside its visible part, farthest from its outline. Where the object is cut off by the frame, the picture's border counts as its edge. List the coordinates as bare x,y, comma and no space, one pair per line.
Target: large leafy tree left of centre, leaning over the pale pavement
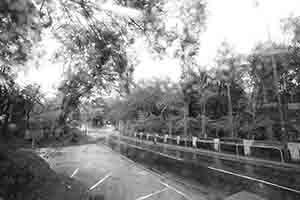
95,53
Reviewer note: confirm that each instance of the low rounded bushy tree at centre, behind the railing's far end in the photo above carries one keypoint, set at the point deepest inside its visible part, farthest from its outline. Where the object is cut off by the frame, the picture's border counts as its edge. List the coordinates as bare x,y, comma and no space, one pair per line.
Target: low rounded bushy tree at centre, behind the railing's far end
157,100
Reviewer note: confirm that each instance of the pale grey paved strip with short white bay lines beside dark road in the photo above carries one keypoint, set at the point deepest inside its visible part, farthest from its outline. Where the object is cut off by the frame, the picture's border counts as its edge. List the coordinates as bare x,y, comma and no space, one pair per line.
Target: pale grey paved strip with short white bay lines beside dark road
113,176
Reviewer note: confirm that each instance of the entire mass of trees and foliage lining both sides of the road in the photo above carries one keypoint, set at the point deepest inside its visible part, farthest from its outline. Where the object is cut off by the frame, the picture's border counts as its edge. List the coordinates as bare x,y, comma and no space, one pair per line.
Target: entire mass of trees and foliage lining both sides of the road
247,96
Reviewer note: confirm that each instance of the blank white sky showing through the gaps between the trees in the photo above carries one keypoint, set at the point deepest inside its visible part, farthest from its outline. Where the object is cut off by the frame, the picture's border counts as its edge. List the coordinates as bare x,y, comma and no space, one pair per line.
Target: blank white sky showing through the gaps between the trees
242,23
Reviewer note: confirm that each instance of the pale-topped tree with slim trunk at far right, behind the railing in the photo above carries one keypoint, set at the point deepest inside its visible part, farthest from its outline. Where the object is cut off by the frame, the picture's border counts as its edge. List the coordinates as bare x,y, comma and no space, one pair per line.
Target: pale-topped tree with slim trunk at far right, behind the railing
269,63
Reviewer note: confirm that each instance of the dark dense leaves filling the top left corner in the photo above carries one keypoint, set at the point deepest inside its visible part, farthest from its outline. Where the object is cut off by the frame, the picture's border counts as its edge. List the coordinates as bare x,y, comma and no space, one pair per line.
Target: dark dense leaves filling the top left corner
21,25
